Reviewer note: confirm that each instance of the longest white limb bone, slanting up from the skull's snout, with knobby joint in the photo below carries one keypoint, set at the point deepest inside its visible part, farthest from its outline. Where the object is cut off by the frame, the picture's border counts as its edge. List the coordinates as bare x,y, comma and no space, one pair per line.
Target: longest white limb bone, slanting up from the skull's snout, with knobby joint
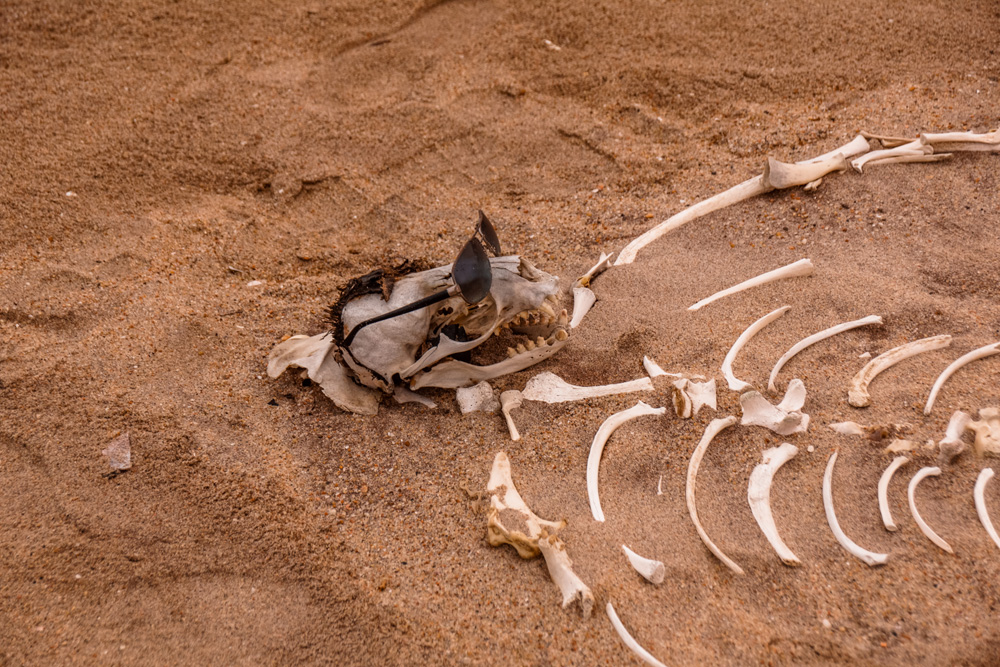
832,161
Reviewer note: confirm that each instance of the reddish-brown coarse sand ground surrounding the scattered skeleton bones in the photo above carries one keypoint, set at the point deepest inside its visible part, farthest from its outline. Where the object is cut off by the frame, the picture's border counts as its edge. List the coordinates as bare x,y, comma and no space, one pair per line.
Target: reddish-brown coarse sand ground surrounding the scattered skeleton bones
159,156
